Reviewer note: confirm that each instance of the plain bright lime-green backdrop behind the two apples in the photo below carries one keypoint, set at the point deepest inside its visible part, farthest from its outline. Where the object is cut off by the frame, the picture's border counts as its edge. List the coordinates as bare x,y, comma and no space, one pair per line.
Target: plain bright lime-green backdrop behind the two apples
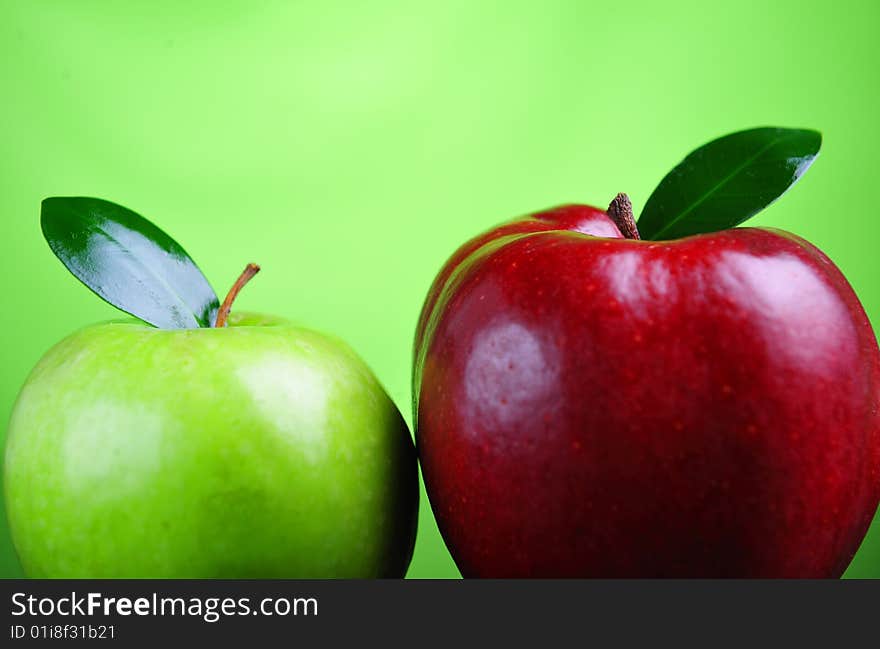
350,147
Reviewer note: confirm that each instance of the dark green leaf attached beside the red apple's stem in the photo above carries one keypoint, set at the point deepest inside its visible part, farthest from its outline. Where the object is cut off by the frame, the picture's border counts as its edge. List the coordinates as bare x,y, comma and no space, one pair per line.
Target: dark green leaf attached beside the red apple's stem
728,180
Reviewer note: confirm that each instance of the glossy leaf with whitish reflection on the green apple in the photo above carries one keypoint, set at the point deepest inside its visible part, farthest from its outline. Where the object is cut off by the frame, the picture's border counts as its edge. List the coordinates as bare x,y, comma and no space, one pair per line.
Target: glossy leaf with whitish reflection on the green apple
129,262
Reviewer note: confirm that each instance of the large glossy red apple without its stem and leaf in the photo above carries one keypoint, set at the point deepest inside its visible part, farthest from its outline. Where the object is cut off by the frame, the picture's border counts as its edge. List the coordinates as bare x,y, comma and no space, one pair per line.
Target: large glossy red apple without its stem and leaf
594,406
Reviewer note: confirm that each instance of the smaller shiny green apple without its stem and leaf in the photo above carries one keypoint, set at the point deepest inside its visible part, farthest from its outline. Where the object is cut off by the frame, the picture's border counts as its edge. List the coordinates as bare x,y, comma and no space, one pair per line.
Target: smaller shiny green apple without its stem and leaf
261,450
